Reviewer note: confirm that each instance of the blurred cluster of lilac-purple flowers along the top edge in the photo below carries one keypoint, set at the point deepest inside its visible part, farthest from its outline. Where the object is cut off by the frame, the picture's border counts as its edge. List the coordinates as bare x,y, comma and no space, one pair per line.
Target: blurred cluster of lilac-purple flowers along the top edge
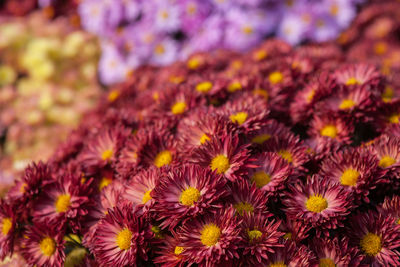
160,32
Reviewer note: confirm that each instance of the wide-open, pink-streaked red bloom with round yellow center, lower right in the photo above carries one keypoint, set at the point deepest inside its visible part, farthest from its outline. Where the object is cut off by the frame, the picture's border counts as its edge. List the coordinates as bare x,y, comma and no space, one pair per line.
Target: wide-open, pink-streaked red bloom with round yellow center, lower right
319,203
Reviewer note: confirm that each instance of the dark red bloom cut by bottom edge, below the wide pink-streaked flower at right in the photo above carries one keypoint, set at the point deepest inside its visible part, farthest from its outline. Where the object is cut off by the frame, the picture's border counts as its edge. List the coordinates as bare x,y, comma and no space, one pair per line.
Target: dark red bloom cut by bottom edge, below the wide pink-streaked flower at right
334,252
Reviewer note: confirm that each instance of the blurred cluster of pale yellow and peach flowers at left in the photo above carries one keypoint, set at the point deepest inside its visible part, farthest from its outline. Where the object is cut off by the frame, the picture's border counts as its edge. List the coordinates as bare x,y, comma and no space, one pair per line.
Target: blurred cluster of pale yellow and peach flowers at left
47,81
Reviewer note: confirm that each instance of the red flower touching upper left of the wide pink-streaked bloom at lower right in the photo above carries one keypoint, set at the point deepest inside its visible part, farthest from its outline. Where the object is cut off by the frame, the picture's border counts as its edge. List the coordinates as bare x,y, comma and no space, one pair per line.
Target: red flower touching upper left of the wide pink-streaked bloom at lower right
271,173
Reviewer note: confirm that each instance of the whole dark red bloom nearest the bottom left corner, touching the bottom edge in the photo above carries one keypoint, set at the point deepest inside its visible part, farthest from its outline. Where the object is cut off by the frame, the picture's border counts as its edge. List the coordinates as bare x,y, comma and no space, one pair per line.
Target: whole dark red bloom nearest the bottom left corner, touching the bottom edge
43,245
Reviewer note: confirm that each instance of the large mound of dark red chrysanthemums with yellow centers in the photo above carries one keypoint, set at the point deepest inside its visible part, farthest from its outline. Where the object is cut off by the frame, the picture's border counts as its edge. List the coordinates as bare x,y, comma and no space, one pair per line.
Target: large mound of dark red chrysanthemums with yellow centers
275,157
